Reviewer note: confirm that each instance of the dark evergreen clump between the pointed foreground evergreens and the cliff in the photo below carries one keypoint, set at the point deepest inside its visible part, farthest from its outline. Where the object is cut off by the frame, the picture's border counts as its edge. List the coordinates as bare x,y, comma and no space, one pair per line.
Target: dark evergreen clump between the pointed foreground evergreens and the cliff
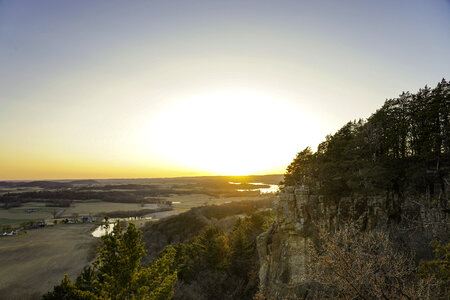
217,265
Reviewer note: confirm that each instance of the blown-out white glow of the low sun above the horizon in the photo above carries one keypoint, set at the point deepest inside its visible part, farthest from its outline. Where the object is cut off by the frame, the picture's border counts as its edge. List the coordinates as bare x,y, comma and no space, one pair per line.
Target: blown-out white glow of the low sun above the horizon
225,133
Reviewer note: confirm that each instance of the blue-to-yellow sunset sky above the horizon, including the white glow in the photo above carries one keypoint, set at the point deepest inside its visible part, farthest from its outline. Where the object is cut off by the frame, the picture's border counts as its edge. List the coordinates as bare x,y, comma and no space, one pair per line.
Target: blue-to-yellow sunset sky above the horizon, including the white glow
132,89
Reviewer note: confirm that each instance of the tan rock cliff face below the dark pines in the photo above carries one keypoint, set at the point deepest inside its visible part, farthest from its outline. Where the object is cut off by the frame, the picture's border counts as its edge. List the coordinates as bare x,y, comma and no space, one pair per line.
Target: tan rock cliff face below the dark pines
283,248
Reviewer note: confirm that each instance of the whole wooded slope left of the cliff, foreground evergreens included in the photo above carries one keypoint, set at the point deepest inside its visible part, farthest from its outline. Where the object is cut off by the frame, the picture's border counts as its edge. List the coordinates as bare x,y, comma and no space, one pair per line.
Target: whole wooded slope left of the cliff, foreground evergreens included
188,259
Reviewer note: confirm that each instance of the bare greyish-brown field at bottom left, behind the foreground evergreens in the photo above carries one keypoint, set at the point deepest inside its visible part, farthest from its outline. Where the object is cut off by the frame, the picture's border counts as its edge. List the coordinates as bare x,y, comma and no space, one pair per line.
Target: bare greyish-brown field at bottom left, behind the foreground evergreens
31,264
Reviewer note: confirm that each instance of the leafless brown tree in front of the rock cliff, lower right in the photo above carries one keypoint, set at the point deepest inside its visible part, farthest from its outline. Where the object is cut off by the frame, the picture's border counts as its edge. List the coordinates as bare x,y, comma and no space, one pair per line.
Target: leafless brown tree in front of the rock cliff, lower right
350,264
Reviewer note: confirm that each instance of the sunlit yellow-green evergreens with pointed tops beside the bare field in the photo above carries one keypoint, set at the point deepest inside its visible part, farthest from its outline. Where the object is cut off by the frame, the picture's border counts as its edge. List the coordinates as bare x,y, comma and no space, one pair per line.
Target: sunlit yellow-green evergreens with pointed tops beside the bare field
117,272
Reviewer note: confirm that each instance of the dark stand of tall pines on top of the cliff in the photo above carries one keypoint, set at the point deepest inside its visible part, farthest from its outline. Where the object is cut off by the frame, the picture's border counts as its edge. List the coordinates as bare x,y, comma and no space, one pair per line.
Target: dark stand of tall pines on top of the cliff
404,147
